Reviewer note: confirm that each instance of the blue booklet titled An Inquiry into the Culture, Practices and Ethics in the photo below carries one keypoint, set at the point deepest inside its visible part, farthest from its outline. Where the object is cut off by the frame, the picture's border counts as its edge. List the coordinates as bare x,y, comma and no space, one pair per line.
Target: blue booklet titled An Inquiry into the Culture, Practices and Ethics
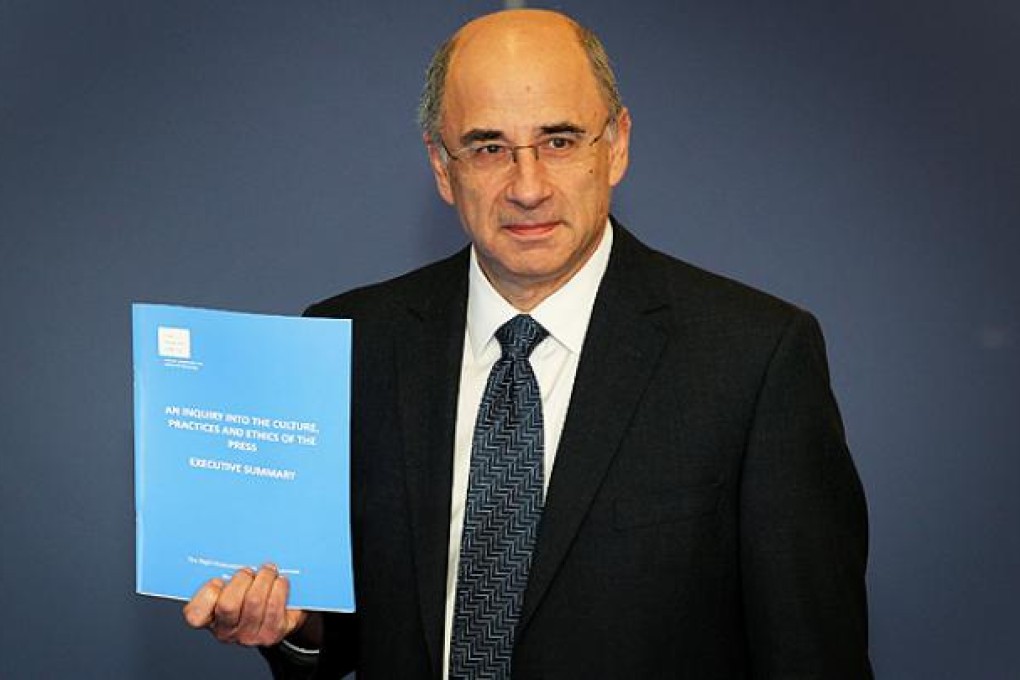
242,449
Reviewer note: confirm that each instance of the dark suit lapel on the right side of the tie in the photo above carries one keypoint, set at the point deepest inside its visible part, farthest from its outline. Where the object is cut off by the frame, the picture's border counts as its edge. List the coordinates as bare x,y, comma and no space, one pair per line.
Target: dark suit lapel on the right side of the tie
625,341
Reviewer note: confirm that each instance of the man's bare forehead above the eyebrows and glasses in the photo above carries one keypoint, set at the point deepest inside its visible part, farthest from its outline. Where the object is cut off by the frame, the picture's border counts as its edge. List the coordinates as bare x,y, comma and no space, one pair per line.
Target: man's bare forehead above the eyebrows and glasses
520,77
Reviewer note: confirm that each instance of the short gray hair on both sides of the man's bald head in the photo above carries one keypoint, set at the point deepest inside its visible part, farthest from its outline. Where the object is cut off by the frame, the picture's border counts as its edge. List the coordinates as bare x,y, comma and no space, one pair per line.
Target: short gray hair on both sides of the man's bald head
431,104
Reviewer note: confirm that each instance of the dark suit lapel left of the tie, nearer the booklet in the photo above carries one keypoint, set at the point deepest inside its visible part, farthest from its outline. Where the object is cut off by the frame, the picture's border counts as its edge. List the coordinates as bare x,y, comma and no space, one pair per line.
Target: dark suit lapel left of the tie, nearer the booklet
429,365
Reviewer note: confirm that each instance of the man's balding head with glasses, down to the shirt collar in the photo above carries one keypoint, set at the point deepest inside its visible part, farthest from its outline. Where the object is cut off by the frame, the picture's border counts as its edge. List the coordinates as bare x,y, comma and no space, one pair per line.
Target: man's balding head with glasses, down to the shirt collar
511,82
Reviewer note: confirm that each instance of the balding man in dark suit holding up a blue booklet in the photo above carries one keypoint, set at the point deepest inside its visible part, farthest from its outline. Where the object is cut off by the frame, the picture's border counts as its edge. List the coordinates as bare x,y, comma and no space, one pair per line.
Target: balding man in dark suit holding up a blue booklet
686,506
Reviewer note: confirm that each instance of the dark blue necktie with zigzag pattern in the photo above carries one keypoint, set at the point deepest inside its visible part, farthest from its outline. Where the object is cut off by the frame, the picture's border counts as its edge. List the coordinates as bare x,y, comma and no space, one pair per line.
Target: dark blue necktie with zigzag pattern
504,506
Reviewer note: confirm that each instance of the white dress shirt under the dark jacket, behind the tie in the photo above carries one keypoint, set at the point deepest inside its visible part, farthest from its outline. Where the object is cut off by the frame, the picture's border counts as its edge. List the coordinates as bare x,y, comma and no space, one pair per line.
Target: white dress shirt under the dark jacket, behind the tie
566,316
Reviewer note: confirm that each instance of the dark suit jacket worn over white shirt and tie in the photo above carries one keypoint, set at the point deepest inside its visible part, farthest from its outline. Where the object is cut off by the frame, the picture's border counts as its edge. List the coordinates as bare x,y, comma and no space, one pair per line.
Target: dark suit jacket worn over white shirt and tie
704,518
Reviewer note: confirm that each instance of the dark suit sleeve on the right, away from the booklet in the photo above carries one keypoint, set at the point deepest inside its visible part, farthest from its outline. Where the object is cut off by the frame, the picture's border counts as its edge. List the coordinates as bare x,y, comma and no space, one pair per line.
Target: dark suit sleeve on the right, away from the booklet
804,535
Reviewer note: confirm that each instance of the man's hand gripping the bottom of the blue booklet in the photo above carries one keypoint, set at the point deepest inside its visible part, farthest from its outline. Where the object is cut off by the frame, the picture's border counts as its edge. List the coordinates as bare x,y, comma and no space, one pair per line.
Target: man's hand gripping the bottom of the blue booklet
249,610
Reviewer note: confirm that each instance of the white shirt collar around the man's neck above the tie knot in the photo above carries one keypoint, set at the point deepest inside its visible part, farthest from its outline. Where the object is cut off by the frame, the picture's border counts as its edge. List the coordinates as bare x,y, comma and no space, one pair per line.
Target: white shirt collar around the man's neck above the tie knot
565,315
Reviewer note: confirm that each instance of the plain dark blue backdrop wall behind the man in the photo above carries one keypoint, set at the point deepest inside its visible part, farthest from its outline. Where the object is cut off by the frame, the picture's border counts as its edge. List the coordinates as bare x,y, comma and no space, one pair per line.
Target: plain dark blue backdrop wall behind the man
861,160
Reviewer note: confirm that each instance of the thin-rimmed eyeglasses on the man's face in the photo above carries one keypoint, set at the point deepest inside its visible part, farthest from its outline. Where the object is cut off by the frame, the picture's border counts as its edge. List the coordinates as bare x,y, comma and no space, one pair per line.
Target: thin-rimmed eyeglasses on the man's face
553,149
